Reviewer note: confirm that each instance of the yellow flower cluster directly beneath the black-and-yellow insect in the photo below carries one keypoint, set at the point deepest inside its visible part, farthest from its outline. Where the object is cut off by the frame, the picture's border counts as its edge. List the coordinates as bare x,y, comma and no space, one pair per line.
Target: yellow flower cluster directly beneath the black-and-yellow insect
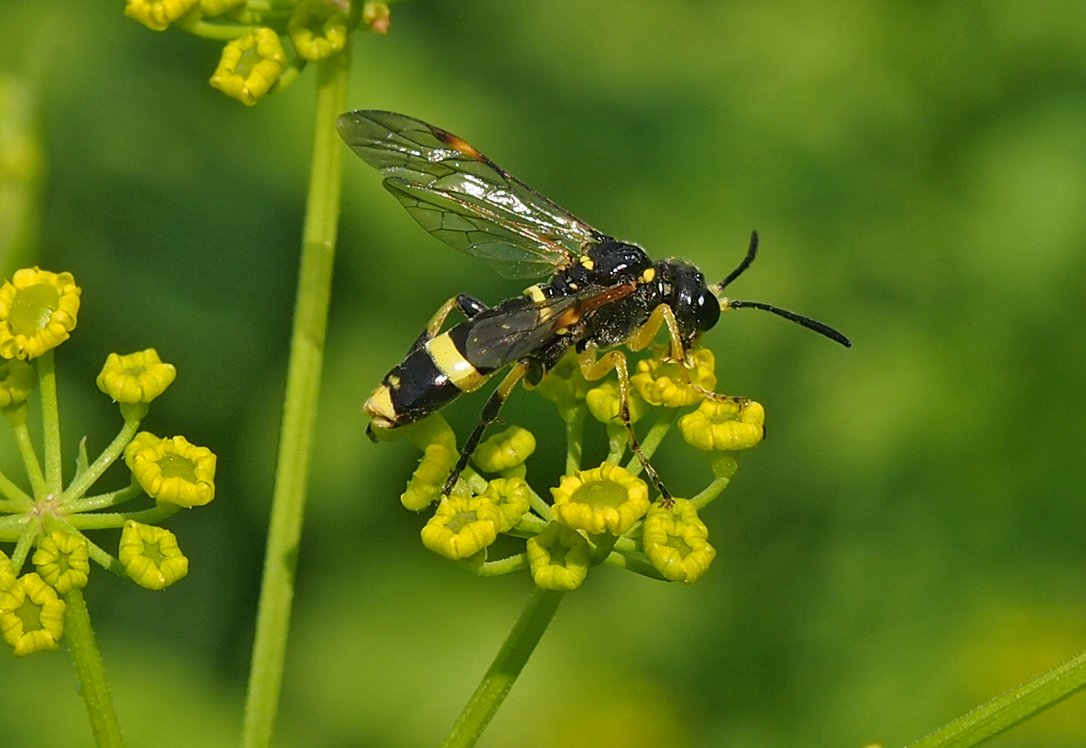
603,514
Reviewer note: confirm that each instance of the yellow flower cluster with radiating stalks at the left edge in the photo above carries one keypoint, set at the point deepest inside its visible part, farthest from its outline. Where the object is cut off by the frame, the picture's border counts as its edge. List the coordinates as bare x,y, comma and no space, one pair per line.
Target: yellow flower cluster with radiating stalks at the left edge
47,521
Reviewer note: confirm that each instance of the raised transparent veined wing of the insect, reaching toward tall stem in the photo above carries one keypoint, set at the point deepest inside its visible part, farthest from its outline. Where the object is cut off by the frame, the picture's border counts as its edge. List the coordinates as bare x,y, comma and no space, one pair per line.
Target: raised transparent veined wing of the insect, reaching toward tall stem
463,198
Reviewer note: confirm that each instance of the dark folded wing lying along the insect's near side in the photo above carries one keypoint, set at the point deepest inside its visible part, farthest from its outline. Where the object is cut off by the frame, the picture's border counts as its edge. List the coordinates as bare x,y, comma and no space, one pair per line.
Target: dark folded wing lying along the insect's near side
508,337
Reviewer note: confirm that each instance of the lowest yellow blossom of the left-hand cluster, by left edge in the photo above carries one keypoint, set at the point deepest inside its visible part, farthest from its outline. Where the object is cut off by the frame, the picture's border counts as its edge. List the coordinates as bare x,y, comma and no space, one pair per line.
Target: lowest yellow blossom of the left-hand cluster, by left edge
32,616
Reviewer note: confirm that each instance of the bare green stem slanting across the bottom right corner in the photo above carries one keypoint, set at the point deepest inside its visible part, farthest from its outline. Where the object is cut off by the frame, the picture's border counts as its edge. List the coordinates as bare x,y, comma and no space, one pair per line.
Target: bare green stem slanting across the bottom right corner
1011,708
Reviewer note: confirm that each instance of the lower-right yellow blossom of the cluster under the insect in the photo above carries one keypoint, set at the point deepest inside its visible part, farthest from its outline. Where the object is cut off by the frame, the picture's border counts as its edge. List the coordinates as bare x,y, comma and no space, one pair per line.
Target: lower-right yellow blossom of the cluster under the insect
675,540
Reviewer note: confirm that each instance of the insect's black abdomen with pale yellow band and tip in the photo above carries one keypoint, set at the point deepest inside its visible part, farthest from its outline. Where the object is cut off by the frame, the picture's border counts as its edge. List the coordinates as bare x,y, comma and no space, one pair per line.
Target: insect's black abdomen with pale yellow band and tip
431,377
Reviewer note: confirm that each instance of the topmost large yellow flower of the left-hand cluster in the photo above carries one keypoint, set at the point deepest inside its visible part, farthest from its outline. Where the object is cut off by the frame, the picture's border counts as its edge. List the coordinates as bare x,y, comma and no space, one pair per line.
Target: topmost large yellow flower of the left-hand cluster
39,310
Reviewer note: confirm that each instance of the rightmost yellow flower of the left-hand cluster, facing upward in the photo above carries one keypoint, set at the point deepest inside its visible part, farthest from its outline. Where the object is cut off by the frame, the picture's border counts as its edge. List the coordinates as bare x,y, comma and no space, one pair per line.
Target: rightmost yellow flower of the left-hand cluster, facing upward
172,471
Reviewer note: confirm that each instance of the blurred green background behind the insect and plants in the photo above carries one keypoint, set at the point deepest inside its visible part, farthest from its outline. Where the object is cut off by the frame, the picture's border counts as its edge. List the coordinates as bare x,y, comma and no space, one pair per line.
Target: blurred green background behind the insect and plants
907,543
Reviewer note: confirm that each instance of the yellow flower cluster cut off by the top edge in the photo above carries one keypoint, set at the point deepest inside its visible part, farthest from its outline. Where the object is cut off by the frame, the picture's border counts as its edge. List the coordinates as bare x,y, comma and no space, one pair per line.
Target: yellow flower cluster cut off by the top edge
267,44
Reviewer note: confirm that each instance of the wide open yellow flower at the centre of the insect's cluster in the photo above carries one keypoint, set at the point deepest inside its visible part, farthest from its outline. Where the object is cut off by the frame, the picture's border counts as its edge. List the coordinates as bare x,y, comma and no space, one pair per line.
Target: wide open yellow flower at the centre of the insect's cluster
602,500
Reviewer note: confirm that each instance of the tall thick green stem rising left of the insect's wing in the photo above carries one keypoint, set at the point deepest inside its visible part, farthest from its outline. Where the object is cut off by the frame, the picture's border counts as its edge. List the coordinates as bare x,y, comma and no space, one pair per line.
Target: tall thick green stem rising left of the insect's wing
300,407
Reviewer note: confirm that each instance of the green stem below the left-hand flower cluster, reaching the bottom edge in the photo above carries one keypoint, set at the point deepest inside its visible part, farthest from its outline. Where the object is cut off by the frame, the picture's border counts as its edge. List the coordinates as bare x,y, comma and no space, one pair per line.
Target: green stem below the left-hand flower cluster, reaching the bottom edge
92,673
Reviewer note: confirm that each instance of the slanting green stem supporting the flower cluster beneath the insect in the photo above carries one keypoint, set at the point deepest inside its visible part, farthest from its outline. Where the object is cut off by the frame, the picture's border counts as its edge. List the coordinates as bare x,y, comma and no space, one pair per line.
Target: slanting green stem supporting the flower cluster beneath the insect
504,670
